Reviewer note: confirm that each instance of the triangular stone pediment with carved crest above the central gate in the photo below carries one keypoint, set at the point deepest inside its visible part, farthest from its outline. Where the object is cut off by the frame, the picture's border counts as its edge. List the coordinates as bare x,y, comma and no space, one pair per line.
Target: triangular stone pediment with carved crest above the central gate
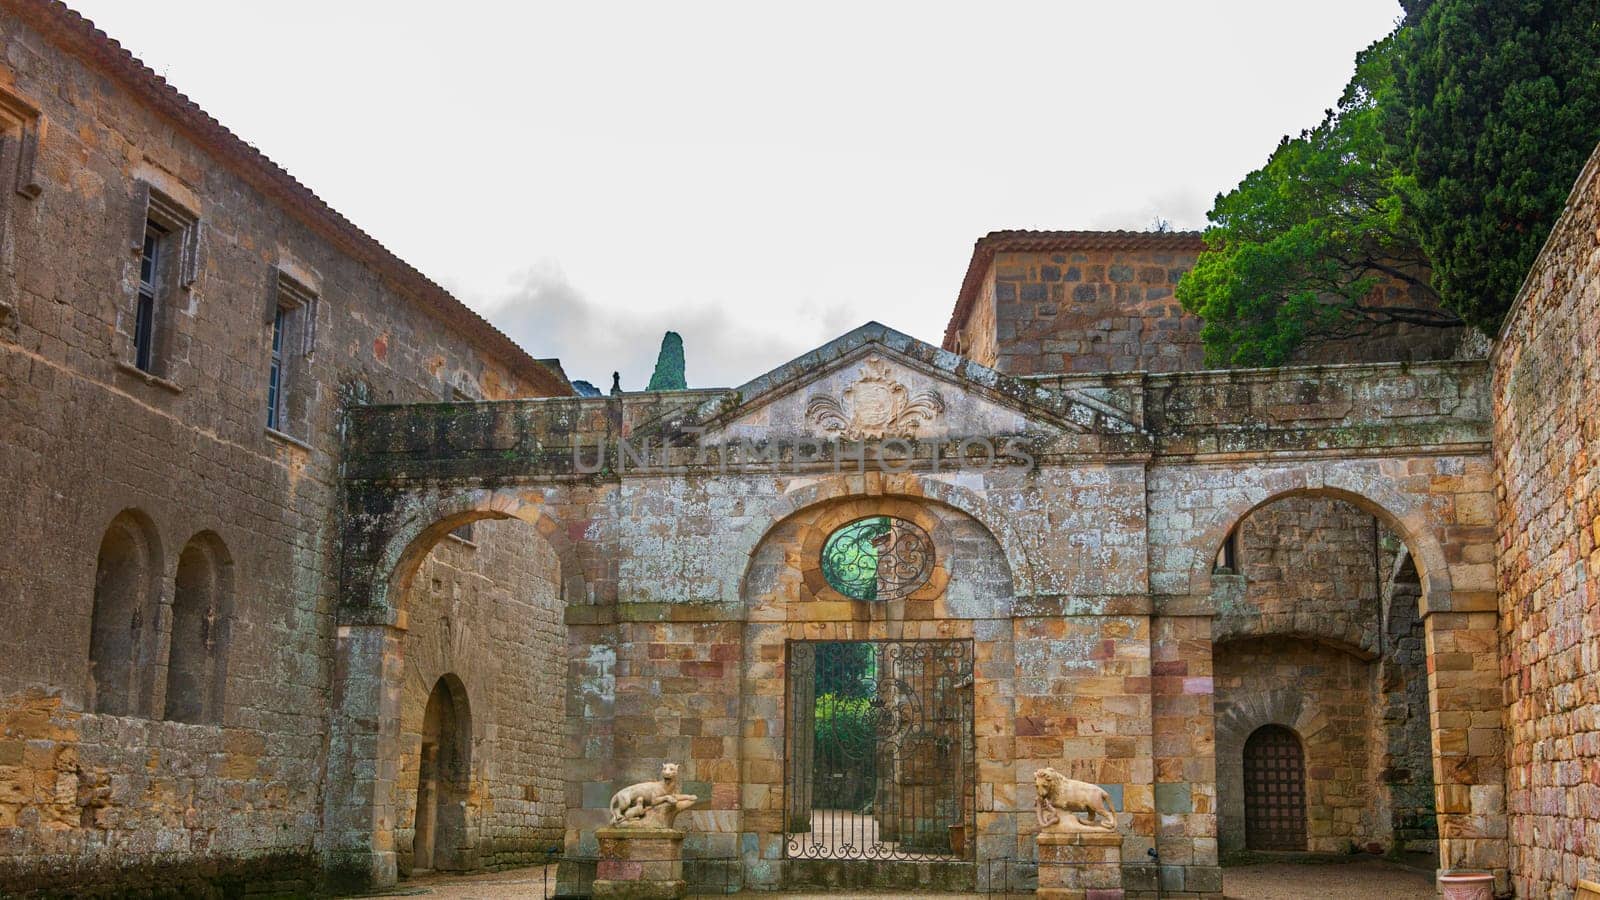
878,384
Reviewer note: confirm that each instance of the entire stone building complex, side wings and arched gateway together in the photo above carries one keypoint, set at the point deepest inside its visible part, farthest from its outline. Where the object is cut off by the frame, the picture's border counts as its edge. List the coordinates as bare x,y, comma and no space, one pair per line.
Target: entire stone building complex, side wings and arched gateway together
319,581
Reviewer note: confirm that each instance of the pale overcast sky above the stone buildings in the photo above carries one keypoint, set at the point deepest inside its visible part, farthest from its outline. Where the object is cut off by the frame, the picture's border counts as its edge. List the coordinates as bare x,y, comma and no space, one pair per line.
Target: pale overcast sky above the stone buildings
759,177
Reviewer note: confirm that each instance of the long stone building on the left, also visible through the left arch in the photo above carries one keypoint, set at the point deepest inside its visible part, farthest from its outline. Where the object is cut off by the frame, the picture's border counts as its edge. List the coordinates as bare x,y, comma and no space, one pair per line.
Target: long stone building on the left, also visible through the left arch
182,329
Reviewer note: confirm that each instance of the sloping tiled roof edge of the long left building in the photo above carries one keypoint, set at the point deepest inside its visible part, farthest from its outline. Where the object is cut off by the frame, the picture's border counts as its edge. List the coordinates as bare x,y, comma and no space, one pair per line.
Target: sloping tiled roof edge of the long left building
78,36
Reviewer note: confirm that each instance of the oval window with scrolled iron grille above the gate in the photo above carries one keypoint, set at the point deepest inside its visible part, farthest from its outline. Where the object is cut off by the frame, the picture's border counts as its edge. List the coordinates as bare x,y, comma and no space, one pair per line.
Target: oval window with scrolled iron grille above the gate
878,560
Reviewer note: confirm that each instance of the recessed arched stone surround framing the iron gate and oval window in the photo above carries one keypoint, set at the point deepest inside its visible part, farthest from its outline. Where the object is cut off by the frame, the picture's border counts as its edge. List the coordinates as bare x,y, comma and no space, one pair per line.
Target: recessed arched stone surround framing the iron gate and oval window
790,601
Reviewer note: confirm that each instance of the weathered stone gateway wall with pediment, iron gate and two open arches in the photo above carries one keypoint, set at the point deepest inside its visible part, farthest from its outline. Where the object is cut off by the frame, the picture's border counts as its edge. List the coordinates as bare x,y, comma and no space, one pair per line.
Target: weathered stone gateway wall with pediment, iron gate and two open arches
1062,614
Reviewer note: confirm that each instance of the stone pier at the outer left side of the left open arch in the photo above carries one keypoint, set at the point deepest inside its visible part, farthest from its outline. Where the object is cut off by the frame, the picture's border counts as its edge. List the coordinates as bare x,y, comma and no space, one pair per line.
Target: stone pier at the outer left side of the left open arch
359,816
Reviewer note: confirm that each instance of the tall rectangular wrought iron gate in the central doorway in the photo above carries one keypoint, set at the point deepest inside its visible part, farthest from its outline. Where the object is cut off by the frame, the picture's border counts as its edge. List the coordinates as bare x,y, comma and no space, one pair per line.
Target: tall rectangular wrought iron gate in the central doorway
879,761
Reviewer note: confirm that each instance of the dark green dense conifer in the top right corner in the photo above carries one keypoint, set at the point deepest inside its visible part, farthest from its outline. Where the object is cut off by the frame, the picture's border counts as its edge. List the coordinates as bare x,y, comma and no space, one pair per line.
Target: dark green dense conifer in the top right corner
1497,110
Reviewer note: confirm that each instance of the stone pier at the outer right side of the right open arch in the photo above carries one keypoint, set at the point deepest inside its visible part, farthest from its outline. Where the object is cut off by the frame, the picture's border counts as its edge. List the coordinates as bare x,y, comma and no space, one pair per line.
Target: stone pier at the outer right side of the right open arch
1470,752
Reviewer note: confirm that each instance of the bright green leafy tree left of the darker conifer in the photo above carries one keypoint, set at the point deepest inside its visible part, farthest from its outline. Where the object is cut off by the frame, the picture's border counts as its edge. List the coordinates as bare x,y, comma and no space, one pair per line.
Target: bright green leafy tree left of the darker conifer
1295,252
